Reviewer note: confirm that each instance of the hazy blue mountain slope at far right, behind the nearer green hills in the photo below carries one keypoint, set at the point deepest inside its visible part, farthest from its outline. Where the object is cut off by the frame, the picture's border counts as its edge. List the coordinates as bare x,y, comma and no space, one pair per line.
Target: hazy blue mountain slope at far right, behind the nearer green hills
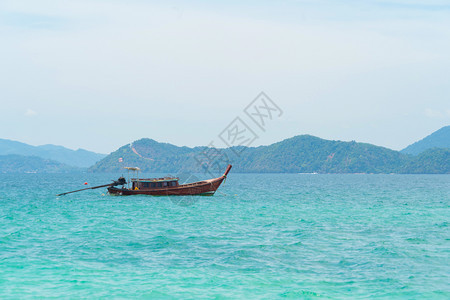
438,139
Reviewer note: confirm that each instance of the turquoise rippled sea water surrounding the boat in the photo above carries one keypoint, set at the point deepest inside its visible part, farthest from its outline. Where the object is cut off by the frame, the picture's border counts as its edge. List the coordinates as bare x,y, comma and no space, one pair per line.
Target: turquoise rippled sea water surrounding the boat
267,236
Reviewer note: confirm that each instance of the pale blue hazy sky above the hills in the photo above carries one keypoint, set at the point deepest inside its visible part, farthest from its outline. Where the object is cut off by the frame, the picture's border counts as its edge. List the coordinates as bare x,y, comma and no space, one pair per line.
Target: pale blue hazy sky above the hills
100,74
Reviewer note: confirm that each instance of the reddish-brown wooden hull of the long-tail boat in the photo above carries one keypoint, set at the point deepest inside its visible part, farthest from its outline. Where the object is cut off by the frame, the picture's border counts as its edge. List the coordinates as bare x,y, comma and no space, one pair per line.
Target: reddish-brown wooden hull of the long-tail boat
206,187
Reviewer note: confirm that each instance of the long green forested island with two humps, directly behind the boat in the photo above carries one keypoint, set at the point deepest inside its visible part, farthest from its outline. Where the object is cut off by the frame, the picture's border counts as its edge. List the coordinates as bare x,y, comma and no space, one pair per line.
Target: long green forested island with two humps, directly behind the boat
300,154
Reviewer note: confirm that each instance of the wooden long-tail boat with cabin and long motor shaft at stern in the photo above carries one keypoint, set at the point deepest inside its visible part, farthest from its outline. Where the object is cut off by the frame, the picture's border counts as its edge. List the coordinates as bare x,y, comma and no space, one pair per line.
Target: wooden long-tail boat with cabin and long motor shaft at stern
167,186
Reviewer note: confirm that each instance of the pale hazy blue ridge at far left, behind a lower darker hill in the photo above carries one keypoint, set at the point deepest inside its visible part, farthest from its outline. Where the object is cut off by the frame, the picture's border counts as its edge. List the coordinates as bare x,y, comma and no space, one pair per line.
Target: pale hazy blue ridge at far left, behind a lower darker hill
77,158
